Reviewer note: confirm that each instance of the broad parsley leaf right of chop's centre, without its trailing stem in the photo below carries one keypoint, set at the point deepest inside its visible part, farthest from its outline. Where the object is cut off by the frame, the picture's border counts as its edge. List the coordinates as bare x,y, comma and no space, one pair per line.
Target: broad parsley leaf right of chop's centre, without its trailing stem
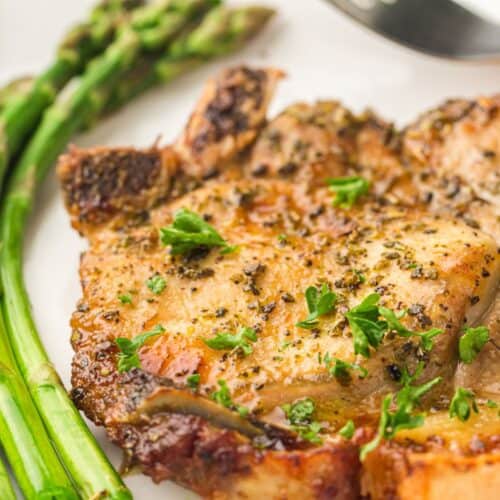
367,329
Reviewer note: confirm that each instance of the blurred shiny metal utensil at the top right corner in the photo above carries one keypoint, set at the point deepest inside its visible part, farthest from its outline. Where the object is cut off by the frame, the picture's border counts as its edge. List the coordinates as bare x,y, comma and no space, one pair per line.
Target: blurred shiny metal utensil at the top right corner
437,27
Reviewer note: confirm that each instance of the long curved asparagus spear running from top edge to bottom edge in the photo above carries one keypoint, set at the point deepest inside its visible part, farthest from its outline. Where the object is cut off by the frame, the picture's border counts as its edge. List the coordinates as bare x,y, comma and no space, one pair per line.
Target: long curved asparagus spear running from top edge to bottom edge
89,467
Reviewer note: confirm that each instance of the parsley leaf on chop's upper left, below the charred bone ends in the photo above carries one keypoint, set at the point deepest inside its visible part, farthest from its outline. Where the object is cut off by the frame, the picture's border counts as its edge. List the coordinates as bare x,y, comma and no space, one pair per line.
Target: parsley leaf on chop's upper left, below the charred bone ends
189,231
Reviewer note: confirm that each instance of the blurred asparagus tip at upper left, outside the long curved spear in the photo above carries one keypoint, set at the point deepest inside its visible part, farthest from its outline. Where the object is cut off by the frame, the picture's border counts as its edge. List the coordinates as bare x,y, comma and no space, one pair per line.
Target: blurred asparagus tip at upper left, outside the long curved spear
83,42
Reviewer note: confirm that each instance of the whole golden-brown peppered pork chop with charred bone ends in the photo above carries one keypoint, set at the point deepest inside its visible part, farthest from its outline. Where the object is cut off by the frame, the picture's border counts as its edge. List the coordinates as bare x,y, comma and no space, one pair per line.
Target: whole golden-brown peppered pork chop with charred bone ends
271,201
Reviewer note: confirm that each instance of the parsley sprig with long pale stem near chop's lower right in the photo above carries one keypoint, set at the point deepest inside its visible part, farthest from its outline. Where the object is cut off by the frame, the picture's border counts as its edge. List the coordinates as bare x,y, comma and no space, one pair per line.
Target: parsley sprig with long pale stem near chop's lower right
402,417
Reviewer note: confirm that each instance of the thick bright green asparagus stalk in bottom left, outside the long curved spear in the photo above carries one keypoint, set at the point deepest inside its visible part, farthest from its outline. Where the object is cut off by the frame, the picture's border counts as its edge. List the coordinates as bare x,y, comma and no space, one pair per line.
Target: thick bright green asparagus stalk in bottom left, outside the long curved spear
25,442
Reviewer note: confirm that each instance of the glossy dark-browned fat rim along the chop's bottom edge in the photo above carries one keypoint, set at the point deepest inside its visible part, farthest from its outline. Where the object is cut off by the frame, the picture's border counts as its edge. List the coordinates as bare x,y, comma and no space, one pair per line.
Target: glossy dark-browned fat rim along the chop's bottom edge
189,451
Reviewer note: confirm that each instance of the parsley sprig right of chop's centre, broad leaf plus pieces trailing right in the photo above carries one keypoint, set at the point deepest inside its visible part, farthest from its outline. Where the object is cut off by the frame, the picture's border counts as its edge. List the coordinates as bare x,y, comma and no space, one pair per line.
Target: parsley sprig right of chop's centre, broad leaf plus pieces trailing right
368,328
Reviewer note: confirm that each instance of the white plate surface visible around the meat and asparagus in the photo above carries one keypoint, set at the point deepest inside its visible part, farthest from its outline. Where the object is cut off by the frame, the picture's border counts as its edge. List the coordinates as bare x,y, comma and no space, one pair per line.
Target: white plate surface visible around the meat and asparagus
325,56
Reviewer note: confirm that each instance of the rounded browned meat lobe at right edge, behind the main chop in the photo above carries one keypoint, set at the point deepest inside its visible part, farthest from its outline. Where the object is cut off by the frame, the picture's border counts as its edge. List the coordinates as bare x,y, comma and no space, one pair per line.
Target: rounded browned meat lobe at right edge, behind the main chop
453,153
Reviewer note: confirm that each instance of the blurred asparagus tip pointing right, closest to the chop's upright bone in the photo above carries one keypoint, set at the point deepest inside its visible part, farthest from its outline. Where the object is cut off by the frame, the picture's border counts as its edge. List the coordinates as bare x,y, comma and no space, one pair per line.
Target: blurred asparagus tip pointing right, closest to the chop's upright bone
222,31
